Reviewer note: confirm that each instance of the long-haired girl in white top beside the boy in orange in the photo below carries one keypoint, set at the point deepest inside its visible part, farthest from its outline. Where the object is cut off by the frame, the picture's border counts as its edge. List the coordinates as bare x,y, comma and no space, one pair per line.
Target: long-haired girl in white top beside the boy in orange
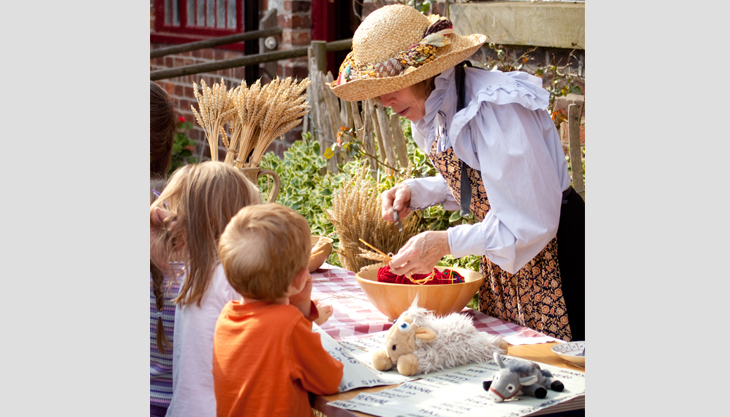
201,199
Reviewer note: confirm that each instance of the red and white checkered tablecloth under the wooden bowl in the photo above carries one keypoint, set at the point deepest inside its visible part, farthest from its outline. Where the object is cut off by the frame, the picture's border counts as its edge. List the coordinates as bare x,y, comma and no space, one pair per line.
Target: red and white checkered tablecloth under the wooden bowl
354,315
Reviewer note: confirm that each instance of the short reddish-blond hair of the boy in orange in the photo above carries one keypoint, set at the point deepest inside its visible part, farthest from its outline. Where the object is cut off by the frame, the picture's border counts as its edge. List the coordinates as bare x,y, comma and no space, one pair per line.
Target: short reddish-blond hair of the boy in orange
263,248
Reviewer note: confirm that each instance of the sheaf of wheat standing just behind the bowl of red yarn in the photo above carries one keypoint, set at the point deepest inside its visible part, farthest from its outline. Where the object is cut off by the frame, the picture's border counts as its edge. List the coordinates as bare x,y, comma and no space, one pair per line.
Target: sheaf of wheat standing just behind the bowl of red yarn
356,214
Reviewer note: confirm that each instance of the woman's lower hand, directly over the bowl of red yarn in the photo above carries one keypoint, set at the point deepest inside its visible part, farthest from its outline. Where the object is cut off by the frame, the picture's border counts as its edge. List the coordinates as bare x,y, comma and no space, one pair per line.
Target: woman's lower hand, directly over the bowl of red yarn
421,253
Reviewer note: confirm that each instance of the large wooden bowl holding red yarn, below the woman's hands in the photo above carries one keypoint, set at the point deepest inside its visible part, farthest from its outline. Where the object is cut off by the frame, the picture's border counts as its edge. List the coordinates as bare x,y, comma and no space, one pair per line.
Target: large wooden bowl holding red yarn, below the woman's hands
393,299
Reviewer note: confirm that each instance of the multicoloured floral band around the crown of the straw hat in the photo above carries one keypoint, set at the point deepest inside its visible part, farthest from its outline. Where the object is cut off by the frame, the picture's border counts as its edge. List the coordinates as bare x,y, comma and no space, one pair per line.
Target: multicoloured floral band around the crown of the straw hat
435,37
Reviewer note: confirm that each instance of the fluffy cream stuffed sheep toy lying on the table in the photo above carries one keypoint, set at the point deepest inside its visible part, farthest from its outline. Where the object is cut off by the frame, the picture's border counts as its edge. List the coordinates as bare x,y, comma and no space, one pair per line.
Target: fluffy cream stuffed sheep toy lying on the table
420,342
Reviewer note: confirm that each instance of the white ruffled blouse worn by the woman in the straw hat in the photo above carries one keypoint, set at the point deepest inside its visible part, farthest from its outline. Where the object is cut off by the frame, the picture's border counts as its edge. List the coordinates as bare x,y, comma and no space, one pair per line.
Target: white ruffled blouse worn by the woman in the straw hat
505,132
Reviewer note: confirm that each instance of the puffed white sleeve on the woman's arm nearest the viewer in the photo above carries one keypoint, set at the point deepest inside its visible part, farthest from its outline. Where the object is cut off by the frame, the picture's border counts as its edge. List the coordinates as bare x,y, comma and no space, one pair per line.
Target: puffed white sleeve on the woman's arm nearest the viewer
523,186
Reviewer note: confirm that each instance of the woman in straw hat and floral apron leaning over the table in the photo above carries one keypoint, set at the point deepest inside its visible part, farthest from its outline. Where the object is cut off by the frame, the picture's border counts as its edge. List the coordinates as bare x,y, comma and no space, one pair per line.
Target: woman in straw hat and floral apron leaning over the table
498,155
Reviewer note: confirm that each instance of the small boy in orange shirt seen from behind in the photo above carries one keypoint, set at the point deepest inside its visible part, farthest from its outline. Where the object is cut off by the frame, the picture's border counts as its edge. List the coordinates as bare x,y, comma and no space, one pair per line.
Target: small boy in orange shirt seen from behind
265,355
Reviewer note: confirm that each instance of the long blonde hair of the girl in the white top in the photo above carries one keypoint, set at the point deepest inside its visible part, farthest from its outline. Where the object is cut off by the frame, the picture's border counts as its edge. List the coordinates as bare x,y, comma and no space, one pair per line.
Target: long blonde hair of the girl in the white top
202,199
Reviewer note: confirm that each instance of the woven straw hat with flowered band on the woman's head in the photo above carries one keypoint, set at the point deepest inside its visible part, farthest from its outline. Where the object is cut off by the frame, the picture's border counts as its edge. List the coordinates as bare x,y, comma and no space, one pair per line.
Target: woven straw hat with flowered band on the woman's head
397,46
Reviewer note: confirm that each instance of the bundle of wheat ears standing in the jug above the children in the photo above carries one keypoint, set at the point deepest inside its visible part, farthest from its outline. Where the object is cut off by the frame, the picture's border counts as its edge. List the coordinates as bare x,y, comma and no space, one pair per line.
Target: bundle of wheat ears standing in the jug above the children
256,116
